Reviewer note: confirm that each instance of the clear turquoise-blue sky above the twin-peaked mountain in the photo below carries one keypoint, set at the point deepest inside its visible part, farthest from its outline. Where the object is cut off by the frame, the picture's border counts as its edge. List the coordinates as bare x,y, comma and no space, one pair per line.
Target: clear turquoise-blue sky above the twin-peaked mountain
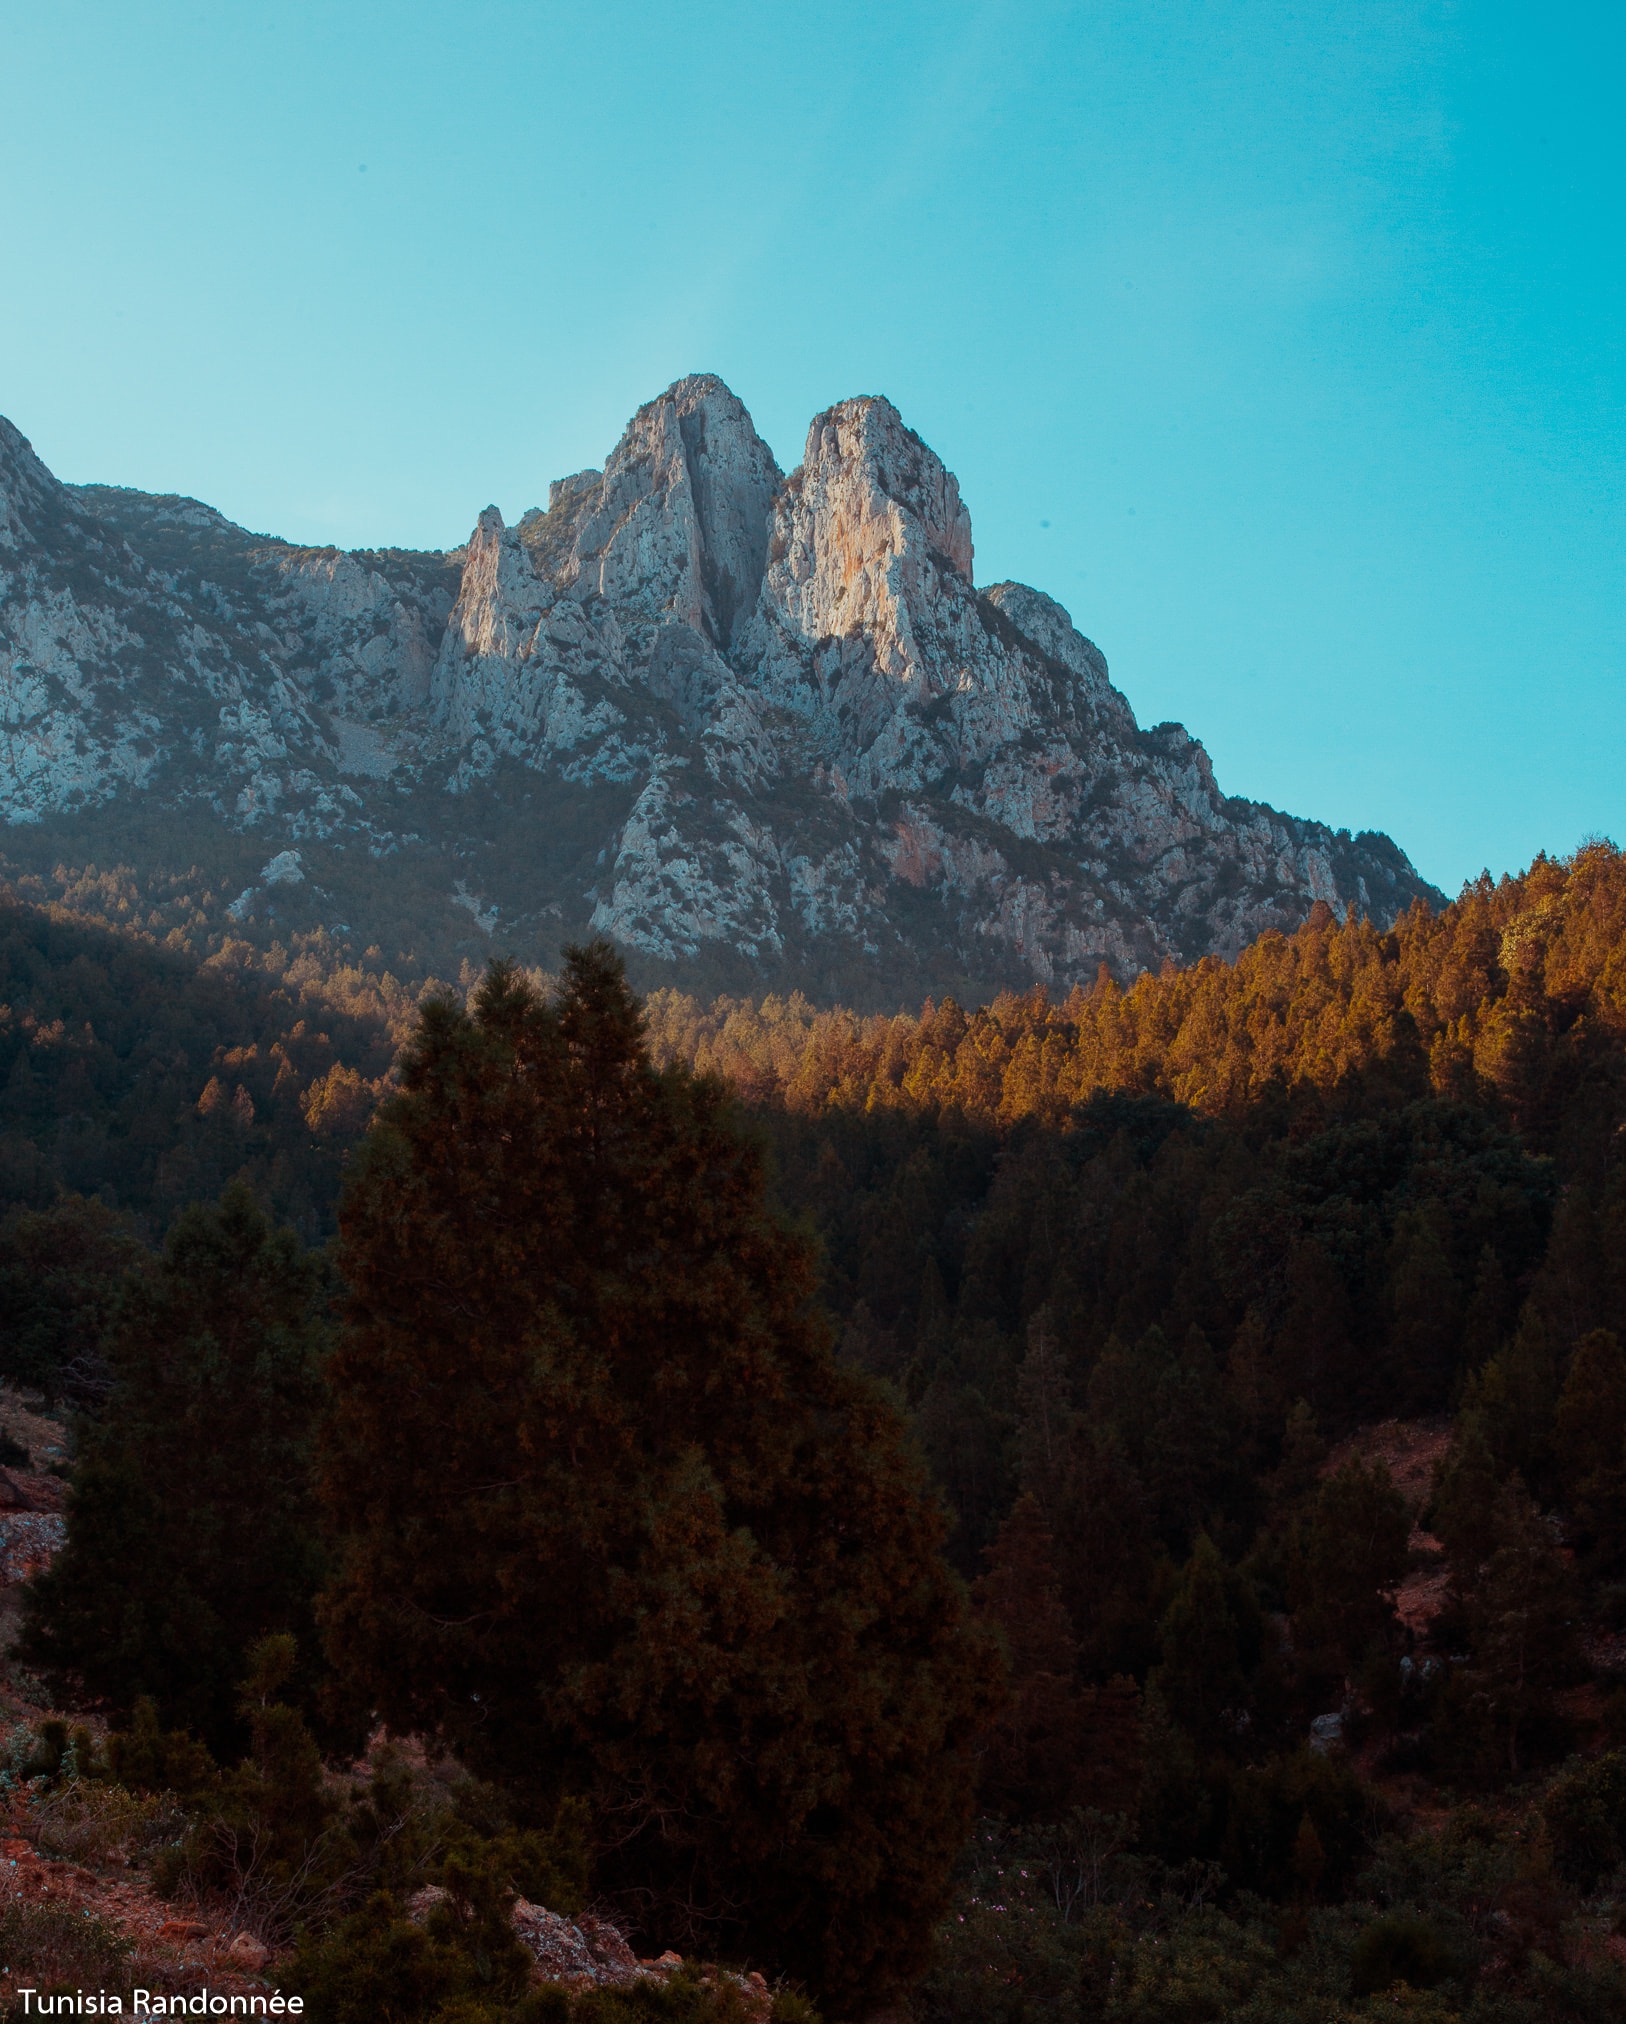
1283,343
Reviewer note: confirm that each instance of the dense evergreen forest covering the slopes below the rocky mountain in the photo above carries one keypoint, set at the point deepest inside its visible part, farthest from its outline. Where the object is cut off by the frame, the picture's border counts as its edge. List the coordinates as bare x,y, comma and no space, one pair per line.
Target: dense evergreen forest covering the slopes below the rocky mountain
1099,1507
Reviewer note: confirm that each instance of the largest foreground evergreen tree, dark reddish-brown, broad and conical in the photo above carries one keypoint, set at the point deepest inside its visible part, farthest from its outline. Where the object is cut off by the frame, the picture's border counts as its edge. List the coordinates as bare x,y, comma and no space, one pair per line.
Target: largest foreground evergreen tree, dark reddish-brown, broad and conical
615,1519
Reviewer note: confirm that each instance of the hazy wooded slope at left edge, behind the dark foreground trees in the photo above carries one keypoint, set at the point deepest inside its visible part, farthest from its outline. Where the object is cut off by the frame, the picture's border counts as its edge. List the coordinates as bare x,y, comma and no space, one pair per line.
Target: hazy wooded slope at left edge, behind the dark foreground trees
139,1074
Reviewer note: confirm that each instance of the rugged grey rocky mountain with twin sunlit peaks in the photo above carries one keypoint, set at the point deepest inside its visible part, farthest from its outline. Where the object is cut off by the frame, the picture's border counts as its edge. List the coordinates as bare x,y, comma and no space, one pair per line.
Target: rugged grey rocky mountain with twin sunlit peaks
760,730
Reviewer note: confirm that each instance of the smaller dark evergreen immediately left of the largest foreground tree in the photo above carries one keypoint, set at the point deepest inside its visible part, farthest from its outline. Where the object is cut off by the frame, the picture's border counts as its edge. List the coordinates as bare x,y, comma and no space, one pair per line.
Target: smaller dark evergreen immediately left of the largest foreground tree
191,1529
